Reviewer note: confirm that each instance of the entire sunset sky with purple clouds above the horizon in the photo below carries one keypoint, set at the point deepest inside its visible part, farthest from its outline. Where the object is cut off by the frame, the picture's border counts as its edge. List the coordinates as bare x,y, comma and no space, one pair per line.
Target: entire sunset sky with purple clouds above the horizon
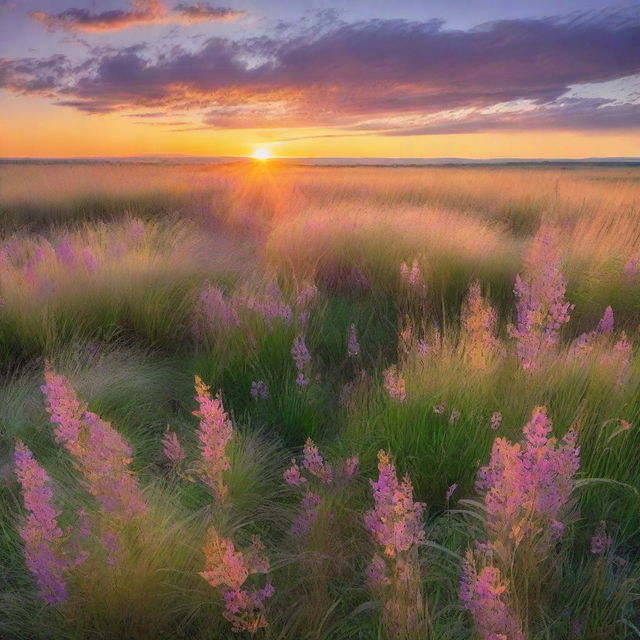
358,78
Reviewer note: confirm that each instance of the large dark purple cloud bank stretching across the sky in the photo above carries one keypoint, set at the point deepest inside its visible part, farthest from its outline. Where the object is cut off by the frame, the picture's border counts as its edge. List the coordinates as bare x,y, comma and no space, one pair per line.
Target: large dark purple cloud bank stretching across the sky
393,76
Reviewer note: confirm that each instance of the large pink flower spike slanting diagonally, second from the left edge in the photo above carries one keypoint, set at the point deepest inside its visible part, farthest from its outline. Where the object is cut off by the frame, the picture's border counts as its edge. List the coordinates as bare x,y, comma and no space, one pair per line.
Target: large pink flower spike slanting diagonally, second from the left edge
100,453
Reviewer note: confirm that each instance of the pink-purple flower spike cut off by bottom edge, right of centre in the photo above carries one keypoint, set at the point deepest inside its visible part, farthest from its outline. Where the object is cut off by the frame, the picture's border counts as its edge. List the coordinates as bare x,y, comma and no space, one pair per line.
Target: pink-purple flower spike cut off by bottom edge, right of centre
484,595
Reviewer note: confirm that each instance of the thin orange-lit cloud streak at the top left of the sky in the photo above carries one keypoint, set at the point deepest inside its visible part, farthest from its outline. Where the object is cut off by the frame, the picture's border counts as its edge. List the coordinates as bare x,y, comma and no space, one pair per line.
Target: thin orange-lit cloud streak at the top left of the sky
141,12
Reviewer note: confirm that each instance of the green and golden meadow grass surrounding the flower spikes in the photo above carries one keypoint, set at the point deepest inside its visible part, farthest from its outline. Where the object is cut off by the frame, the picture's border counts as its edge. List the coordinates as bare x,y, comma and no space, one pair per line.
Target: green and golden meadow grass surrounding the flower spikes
123,335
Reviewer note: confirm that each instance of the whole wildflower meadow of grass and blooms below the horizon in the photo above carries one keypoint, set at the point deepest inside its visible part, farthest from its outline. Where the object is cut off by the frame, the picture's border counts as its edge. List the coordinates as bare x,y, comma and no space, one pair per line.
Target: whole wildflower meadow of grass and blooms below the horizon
319,403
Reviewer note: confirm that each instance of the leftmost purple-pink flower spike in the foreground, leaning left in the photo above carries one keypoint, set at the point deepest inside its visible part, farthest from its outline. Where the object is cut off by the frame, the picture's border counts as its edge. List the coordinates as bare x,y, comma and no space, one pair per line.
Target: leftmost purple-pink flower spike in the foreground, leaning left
43,538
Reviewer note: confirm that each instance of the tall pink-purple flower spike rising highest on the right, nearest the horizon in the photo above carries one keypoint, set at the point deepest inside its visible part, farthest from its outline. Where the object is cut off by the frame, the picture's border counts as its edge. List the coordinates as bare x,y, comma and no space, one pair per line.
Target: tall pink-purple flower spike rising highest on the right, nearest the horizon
541,308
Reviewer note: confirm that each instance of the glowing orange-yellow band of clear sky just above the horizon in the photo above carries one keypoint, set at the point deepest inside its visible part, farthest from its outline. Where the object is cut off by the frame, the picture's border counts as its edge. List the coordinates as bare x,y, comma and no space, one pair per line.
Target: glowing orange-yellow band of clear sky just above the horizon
34,128
